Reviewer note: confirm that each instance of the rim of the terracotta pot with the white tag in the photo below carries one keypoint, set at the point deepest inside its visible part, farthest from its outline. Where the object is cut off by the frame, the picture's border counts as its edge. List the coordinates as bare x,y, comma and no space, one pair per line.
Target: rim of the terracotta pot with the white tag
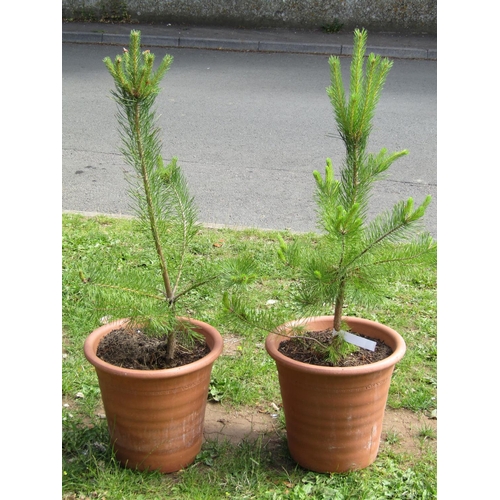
399,349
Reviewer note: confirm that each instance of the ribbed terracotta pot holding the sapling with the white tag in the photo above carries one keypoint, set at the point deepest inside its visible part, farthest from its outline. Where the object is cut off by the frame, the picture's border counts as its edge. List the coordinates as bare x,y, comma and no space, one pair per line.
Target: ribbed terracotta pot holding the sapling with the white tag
334,415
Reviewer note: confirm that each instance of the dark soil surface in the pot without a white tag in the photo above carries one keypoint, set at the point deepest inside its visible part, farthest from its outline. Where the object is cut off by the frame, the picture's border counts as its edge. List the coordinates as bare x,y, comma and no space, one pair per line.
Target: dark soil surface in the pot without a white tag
134,349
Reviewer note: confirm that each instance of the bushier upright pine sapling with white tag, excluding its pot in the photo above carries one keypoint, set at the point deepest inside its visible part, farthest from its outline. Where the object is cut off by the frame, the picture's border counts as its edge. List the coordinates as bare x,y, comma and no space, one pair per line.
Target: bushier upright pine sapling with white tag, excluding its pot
354,256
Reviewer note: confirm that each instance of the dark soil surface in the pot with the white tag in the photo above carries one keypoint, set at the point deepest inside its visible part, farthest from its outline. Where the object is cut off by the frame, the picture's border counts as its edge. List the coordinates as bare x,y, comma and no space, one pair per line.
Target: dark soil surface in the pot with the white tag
306,350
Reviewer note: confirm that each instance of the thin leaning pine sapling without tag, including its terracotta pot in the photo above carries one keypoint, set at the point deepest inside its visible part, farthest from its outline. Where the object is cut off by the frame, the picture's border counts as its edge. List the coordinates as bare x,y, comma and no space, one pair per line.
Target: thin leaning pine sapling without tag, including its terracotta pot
153,363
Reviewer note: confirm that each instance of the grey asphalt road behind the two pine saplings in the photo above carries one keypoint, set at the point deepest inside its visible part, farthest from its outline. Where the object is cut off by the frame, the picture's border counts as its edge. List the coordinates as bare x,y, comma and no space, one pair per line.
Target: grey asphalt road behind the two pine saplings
248,129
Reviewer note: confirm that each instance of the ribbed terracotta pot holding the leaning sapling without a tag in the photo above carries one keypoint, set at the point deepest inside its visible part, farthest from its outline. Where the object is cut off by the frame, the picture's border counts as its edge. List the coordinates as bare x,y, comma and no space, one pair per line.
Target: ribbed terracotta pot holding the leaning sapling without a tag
155,417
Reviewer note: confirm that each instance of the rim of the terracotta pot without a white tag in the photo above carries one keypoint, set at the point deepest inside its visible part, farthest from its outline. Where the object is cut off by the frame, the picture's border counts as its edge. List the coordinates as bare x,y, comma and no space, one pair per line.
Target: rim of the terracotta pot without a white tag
93,339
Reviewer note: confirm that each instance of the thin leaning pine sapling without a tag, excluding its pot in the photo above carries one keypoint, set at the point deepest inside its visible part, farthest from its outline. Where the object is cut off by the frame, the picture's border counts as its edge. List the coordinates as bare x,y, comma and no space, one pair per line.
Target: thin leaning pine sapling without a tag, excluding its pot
163,206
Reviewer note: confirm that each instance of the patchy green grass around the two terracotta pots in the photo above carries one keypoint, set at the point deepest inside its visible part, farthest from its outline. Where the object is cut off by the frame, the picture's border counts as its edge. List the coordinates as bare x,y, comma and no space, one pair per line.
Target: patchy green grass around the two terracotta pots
250,470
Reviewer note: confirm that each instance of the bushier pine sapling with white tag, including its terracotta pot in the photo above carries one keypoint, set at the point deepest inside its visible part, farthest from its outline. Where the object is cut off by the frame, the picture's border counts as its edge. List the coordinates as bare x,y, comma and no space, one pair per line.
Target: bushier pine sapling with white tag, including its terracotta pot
334,370
